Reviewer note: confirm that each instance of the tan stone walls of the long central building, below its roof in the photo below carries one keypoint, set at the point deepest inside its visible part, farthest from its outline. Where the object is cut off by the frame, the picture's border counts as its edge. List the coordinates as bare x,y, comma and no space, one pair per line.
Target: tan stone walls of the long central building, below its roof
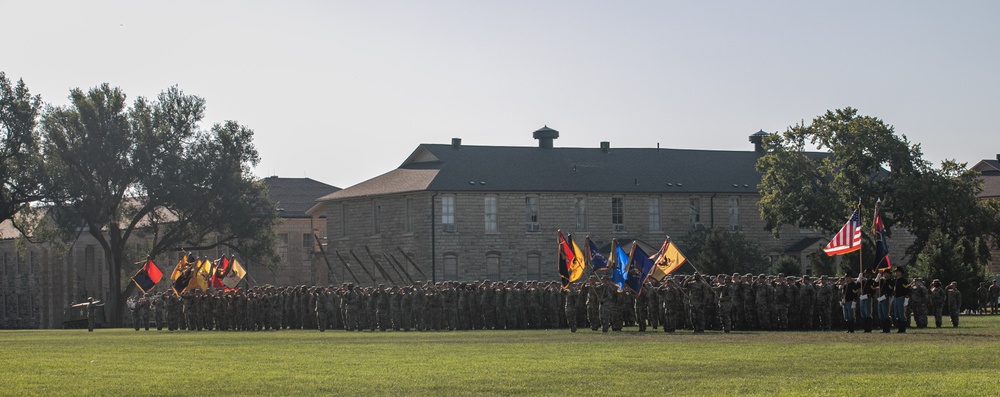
512,246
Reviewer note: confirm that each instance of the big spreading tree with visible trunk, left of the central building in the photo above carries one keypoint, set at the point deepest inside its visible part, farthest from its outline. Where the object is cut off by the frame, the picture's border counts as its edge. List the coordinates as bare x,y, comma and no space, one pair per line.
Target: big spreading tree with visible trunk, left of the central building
150,171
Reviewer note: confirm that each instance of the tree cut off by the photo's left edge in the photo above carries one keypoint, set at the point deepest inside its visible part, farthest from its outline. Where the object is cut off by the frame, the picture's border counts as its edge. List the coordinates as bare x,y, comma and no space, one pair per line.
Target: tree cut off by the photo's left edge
19,159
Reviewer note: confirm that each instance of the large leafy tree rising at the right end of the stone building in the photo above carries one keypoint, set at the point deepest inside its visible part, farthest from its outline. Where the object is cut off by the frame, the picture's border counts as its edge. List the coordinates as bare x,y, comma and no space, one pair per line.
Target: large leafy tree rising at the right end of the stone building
861,157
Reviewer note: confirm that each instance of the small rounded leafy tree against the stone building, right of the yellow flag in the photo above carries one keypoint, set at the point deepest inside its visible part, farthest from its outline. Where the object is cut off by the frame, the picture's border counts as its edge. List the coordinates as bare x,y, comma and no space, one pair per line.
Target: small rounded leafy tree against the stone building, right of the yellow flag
718,251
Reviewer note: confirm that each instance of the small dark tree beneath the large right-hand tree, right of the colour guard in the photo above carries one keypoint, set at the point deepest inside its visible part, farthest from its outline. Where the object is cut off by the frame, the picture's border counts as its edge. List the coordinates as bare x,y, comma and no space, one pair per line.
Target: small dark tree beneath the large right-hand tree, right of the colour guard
949,259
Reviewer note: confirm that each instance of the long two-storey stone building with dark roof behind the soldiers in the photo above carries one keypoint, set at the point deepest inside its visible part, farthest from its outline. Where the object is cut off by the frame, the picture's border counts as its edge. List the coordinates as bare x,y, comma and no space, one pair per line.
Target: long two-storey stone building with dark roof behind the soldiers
466,212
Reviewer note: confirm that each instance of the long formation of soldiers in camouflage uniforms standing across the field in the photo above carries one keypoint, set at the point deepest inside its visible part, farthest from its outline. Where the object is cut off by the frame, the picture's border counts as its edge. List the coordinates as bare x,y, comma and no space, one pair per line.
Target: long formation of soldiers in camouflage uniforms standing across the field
737,302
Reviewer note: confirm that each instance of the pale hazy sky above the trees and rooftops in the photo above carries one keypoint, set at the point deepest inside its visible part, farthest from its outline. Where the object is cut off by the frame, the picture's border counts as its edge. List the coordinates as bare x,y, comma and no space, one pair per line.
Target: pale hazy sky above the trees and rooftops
343,91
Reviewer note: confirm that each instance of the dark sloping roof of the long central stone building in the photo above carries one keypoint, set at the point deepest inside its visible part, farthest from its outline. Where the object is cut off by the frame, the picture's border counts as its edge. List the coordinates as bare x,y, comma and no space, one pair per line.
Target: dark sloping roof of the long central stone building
465,168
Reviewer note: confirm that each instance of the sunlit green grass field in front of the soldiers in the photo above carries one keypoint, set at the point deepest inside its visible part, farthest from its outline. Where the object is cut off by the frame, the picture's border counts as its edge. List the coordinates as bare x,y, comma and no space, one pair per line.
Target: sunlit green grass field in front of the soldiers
119,362
